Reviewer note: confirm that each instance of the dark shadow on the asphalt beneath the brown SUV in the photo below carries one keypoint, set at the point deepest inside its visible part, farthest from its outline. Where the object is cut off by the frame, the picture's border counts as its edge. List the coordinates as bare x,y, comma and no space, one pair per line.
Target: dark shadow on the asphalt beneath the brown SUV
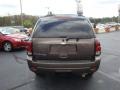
62,82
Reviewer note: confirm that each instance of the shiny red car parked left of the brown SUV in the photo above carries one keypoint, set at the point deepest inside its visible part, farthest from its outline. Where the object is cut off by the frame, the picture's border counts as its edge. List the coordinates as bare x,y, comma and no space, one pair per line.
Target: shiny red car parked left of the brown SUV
11,38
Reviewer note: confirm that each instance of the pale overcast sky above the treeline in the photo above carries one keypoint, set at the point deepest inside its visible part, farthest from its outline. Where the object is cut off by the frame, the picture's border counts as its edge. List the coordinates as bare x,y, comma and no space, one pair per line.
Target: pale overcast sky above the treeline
91,8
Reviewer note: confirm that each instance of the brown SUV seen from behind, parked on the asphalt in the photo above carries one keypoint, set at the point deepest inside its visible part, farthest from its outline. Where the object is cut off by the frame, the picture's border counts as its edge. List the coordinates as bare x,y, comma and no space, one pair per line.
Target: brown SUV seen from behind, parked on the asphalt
63,44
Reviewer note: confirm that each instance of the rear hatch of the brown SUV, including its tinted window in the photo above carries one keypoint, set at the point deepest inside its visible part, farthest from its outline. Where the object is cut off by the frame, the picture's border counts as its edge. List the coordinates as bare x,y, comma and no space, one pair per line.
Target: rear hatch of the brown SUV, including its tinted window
63,39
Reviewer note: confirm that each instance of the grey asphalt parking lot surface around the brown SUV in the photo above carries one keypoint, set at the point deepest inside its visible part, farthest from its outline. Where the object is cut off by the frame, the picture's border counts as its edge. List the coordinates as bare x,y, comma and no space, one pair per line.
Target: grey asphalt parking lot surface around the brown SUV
15,75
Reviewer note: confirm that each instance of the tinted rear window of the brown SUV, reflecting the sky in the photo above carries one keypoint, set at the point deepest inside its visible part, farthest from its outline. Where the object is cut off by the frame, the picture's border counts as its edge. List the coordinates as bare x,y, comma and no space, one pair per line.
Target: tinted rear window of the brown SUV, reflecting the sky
64,28
